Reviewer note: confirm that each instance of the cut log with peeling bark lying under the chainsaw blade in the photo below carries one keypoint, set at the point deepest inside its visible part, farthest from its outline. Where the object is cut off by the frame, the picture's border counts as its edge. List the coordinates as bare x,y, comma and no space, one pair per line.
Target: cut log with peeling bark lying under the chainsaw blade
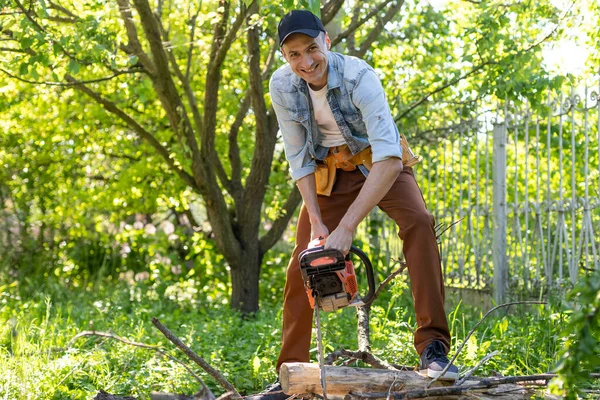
299,378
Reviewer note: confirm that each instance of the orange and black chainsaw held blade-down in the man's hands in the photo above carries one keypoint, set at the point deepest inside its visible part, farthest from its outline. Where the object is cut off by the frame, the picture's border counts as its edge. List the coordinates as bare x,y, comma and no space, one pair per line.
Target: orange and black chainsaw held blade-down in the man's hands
330,283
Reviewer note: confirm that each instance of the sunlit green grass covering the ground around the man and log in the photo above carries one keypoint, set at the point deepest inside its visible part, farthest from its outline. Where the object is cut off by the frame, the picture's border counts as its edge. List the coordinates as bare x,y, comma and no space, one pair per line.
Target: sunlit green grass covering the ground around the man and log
39,318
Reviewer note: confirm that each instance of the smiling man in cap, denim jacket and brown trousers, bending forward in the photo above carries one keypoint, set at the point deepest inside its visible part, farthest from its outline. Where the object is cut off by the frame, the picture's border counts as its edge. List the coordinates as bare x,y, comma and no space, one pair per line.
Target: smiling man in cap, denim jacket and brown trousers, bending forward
332,110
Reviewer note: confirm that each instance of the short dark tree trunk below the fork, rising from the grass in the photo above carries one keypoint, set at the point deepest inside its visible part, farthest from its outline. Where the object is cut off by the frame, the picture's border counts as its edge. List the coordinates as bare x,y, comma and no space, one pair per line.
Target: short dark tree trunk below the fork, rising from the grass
244,281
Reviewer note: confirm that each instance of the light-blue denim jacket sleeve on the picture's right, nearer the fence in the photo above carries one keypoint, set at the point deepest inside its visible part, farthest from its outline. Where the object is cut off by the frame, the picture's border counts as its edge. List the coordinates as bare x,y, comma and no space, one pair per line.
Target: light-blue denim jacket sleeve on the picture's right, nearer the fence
369,97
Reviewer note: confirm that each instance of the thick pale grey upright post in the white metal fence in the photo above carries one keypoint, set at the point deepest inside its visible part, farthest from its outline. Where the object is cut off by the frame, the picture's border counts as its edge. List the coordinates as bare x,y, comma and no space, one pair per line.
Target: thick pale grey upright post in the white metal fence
499,210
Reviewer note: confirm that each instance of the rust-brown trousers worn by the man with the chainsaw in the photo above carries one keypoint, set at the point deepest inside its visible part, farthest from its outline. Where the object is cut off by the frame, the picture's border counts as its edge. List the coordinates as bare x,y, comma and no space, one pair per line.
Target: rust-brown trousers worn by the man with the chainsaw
404,204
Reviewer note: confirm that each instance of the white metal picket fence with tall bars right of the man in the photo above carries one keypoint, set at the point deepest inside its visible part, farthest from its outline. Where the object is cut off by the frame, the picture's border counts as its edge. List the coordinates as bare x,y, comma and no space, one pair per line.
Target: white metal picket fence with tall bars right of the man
525,186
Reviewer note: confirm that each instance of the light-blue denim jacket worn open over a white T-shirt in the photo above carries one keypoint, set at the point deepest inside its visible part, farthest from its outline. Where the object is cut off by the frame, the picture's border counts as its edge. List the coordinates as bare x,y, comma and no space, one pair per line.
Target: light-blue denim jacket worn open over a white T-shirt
358,104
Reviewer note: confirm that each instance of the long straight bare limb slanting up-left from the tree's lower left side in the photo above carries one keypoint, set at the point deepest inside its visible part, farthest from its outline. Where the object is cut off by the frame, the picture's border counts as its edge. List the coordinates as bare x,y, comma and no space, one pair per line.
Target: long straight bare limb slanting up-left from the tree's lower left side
137,128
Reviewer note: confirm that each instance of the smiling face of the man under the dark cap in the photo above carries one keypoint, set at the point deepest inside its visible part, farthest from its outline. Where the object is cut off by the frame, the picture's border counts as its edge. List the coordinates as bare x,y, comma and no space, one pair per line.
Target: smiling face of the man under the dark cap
308,57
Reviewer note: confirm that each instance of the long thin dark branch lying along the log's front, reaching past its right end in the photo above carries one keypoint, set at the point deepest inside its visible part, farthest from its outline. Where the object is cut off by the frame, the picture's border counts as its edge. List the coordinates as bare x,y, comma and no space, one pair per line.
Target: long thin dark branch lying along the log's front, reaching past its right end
448,390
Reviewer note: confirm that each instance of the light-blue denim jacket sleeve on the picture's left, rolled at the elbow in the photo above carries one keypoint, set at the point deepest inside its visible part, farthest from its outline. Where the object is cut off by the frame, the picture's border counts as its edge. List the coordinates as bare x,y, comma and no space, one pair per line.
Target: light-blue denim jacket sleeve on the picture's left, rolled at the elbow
295,142
